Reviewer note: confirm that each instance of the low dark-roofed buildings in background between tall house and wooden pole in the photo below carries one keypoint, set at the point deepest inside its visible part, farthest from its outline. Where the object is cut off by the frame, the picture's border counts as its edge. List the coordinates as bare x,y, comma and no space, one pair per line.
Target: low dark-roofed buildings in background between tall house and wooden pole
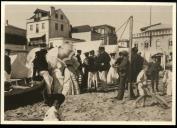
106,33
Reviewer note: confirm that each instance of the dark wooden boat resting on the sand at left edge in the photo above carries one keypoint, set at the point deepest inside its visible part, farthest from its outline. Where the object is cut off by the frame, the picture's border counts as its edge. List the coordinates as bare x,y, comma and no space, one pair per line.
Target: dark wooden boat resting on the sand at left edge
20,95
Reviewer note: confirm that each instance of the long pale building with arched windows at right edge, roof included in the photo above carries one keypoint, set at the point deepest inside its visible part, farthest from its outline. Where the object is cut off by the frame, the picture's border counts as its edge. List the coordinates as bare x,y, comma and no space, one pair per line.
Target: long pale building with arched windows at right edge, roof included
154,39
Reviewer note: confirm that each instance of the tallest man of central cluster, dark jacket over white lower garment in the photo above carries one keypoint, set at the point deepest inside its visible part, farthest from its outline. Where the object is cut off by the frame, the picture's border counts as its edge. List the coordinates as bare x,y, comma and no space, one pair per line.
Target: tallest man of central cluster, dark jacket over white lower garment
103,61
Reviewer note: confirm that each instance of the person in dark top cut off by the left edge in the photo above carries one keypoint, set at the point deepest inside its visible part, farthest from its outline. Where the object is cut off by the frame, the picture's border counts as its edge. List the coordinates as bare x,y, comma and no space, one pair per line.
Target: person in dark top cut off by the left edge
7,64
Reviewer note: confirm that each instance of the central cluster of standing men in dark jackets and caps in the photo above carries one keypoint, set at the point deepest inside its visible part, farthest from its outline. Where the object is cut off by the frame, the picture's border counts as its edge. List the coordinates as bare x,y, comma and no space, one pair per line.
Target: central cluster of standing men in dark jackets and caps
94,68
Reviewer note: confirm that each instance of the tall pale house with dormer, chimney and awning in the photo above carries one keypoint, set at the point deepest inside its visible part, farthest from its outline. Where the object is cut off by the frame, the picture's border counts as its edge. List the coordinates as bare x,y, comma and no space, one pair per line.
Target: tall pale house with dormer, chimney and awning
44,25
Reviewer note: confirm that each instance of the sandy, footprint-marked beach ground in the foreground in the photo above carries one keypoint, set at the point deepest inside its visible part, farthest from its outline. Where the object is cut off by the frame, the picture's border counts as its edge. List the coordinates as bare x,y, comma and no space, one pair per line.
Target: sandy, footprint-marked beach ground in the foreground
96,106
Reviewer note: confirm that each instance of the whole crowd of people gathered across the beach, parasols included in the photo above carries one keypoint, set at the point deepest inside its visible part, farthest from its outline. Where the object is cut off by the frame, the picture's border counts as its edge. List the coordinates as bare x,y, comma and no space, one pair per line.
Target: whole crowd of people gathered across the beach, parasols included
67,73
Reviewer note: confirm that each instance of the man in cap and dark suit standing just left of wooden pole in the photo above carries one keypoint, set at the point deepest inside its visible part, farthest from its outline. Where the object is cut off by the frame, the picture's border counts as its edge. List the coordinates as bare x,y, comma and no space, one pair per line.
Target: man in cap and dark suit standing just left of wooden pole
123,66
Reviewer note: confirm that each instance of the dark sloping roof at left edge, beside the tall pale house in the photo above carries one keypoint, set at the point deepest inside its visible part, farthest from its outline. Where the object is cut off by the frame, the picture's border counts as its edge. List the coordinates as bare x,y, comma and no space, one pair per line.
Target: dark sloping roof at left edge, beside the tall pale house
10,29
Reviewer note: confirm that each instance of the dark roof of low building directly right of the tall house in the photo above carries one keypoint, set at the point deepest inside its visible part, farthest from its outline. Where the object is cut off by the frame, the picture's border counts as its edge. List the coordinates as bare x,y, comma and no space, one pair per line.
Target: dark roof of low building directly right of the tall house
83,28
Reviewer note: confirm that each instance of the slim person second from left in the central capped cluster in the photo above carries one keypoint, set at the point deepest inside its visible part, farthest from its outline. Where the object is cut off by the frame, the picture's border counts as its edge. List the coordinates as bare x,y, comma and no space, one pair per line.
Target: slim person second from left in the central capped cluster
86,69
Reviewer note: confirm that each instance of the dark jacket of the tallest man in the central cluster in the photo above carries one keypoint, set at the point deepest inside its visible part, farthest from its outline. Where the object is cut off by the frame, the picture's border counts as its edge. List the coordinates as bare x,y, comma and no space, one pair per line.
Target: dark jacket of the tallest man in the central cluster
103,61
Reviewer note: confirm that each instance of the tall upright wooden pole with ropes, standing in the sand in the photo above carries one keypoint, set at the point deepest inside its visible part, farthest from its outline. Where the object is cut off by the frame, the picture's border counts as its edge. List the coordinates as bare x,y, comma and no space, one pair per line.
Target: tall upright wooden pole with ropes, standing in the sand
130,88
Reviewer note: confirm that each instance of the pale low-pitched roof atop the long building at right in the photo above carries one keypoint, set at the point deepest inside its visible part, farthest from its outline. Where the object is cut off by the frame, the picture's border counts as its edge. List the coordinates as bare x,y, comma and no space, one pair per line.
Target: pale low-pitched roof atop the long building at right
158,26
